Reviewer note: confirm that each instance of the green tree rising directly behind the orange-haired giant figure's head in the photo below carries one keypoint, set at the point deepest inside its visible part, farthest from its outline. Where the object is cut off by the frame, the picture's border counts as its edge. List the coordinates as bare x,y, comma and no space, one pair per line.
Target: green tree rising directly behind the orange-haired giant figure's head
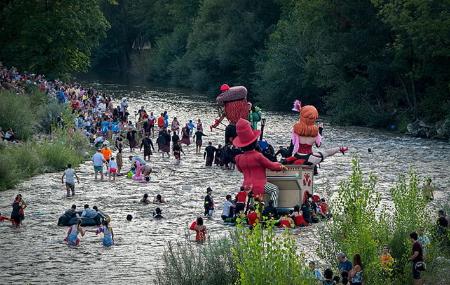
281,75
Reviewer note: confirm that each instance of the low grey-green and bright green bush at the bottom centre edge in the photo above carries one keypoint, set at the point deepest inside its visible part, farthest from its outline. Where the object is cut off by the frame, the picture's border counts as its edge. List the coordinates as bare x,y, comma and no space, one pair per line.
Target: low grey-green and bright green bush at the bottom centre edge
248,257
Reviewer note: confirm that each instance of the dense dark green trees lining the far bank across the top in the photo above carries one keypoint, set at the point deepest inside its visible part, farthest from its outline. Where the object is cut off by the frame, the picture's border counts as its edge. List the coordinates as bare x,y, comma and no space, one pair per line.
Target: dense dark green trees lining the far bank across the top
378,63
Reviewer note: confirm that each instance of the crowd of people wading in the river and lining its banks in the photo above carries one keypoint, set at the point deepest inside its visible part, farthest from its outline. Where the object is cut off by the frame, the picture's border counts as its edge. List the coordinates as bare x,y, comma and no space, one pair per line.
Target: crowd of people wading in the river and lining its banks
103,123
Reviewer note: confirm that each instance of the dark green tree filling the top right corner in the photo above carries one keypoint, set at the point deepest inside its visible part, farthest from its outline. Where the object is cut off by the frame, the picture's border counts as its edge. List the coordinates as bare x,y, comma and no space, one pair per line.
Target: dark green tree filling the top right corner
420,49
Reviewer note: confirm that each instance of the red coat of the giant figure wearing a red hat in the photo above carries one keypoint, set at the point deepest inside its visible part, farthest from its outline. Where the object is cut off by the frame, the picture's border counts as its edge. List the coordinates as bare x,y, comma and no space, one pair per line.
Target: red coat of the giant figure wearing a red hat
253,165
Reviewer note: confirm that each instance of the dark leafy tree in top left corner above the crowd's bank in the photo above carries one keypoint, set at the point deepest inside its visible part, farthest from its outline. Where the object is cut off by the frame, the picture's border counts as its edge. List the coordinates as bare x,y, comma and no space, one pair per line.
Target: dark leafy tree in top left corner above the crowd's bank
51,37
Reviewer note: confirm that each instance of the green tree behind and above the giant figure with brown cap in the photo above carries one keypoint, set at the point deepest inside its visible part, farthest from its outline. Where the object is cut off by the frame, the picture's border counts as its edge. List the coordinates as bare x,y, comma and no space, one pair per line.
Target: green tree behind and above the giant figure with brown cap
224,40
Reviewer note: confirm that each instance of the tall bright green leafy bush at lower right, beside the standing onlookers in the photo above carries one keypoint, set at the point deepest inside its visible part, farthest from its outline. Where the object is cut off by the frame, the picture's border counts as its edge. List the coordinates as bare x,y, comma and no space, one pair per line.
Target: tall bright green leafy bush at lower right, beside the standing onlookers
361,226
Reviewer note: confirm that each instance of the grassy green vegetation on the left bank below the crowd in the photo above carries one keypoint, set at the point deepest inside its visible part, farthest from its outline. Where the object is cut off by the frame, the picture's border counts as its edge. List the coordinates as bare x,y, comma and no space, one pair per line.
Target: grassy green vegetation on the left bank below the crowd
30,114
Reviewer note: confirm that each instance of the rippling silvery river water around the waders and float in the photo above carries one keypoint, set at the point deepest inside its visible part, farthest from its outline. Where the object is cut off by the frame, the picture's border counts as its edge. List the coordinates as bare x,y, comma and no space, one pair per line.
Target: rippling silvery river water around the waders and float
35,253
